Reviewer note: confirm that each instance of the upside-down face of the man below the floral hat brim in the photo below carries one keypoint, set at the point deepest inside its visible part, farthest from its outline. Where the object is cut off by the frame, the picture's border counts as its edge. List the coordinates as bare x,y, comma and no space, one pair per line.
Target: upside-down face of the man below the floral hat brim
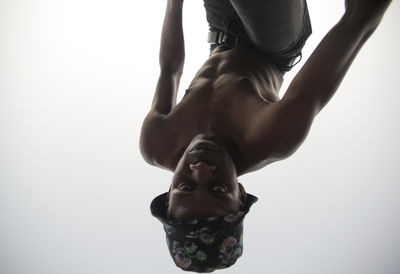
204,183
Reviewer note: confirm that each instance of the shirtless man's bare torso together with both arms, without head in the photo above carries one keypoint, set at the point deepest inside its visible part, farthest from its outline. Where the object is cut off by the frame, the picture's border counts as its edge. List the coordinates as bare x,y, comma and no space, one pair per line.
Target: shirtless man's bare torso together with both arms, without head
235,93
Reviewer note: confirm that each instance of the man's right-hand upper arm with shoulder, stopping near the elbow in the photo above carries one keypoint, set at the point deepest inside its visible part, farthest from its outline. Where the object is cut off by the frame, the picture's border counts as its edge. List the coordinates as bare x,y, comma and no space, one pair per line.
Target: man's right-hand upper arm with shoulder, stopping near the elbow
290,119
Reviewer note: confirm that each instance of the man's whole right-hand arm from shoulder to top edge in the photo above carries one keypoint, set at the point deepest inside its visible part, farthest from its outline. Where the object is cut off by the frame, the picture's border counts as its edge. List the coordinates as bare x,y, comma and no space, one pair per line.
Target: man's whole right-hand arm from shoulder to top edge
290,119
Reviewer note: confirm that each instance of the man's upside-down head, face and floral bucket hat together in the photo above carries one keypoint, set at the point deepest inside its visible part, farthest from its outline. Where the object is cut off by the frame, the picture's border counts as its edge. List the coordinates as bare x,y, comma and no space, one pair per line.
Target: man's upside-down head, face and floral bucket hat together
203,211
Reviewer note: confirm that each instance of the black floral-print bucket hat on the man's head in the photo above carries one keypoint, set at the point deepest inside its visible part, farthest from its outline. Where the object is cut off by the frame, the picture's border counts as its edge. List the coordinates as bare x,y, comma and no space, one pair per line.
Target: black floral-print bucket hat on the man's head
203,245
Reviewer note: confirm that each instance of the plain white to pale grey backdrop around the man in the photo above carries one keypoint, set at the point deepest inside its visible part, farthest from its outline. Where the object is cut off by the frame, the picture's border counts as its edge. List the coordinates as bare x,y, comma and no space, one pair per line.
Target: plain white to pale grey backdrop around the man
76,81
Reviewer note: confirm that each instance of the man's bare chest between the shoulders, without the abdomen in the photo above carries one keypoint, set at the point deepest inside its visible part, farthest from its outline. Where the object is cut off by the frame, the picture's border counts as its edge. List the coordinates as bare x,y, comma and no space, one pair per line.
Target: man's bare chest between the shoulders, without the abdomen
227,108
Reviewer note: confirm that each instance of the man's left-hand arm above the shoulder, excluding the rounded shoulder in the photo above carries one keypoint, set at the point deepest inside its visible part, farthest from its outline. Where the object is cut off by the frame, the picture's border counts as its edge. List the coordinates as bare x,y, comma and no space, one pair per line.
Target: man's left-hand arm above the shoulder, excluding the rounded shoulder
172,57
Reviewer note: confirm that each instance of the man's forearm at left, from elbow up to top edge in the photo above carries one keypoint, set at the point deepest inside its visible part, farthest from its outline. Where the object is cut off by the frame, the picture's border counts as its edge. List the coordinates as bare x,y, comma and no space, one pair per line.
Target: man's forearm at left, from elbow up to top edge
172,48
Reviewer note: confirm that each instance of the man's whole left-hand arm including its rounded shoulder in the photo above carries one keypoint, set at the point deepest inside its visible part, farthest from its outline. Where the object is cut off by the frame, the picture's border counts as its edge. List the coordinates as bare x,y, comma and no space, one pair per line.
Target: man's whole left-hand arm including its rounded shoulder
172,55
